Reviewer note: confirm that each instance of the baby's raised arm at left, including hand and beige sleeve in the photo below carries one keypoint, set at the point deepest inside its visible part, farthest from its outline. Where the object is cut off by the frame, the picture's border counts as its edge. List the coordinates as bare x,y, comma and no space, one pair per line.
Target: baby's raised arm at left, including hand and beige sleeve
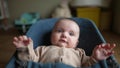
25,51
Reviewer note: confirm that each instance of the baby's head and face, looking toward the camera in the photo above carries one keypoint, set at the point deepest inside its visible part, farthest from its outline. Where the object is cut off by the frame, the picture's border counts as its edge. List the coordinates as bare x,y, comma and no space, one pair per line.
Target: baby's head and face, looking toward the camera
65,34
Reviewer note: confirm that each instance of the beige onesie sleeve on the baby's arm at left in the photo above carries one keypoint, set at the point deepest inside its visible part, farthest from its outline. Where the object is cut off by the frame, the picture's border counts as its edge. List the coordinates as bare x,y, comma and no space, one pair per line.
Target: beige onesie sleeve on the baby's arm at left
28,53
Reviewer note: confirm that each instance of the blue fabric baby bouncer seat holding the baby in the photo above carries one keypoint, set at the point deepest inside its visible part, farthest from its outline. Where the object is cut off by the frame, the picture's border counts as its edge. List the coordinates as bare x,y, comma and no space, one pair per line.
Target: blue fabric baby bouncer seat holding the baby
90,36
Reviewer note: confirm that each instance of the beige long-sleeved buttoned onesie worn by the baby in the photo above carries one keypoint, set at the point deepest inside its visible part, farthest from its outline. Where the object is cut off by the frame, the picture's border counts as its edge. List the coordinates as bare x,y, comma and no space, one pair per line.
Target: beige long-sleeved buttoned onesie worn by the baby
53,54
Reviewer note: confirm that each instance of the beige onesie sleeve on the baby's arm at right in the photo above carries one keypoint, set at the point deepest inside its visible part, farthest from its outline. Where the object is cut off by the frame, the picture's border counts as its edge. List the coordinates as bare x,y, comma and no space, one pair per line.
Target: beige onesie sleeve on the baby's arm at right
86,60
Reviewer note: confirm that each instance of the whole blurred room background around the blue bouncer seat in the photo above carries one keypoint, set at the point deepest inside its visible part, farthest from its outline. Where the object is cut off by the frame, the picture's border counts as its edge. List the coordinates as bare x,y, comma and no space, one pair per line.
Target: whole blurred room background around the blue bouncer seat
16,16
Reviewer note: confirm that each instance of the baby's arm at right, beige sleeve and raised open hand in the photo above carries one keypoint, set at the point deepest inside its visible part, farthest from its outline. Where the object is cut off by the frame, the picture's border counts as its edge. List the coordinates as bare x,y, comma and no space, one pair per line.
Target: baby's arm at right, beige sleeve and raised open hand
100,52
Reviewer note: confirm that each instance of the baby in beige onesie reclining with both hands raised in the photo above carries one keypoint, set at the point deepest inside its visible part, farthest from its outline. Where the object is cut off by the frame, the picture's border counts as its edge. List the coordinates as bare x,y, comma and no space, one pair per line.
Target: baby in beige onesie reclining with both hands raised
64,39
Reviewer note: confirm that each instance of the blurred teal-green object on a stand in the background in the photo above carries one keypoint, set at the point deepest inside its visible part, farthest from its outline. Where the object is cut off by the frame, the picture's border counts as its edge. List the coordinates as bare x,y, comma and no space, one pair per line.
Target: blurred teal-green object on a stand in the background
26,20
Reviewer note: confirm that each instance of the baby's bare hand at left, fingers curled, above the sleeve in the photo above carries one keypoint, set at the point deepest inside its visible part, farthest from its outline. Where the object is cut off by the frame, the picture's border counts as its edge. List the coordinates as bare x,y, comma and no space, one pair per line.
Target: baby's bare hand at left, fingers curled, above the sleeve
22,41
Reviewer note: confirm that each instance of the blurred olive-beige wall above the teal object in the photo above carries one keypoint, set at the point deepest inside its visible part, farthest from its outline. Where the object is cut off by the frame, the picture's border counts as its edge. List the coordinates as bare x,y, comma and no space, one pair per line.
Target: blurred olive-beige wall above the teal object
44,7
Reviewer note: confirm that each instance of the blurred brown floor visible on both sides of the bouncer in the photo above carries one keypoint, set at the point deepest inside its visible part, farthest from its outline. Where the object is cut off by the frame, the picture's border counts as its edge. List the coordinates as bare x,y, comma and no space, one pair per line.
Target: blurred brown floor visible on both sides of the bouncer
7,49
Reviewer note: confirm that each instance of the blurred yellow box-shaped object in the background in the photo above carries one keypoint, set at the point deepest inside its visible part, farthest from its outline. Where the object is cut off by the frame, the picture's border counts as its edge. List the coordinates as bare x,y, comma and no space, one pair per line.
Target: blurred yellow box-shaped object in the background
90,13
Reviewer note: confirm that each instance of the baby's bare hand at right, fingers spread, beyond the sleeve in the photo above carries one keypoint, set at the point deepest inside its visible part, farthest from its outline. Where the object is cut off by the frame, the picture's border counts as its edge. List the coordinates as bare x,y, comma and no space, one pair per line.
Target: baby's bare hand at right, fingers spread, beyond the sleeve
103,51
